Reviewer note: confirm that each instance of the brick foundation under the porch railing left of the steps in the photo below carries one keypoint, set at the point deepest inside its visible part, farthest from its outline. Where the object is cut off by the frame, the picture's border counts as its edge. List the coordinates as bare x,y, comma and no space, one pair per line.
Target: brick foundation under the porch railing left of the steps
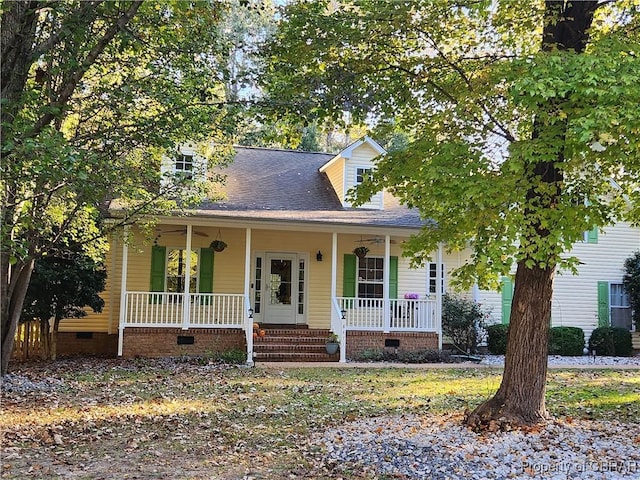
163,342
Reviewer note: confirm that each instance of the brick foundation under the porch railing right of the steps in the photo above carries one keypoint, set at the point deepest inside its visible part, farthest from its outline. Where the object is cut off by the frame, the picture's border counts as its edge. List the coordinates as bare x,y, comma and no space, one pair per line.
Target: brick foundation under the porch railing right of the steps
359,341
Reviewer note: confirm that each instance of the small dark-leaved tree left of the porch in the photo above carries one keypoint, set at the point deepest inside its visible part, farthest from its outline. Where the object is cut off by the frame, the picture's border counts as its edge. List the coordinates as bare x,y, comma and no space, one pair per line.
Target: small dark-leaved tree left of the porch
61,287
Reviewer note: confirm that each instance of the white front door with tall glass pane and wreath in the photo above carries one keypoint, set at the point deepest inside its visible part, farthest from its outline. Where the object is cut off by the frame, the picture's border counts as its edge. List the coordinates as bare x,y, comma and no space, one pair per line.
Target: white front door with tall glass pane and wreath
281,288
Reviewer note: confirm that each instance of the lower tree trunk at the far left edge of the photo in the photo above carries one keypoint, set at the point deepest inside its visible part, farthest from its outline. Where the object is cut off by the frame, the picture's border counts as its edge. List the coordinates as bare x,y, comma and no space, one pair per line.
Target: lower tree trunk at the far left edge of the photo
17,279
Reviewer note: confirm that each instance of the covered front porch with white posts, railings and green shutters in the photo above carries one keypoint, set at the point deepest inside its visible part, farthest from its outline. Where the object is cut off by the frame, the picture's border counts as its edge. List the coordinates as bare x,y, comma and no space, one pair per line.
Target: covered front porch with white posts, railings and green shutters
289,276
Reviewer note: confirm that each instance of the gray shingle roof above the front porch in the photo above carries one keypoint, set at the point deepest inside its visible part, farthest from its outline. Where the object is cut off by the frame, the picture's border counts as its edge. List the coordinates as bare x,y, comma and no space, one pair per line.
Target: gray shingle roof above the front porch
286,185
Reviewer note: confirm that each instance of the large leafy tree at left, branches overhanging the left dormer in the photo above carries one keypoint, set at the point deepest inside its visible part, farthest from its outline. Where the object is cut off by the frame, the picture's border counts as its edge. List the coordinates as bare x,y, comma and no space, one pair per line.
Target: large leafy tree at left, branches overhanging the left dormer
94,95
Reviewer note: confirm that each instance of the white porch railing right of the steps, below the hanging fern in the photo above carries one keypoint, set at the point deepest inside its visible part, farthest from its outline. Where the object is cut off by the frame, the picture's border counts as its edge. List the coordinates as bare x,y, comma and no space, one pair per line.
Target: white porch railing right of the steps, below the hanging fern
404,315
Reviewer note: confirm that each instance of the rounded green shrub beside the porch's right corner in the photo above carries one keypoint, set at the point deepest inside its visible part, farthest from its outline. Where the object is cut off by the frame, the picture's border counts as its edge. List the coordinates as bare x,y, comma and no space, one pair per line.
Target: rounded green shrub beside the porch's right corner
463,321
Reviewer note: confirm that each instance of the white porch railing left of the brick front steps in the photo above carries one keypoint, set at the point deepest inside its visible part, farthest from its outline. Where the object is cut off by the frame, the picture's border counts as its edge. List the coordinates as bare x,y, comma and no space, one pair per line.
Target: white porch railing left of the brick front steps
207,310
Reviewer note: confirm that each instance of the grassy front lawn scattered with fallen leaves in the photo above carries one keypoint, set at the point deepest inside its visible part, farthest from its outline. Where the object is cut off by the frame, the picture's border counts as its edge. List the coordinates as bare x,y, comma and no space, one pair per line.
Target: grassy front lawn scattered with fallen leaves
171,418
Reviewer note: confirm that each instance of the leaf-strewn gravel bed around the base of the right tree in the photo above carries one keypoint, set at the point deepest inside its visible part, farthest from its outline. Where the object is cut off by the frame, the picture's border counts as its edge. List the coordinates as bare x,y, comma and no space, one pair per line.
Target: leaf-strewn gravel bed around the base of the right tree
412,447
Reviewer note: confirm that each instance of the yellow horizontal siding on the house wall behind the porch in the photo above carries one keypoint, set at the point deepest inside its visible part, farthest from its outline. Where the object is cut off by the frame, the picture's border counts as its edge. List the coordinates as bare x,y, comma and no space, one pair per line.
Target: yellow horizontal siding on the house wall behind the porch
229,268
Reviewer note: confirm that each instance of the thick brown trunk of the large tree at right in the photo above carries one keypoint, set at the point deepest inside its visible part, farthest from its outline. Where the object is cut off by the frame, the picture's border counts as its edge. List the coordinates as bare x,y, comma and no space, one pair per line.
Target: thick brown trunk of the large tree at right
520,400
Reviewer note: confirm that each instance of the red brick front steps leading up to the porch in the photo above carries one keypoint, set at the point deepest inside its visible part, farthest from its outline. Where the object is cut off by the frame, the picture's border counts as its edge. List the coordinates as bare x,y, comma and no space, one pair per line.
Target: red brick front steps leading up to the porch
292,344
